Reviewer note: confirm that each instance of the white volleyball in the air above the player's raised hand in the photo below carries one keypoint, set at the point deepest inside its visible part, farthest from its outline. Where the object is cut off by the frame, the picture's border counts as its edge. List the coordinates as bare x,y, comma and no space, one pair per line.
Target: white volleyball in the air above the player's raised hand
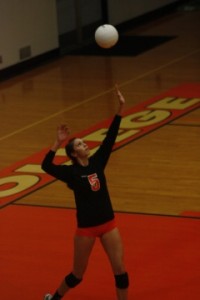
106,36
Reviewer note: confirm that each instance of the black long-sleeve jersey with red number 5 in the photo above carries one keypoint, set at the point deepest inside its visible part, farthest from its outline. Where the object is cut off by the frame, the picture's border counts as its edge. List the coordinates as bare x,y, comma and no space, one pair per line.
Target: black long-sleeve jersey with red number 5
88,182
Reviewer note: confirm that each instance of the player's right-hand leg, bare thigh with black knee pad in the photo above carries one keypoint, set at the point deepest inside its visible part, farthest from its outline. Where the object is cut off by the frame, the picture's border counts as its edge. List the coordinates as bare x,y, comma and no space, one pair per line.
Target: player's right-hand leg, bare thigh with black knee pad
113,246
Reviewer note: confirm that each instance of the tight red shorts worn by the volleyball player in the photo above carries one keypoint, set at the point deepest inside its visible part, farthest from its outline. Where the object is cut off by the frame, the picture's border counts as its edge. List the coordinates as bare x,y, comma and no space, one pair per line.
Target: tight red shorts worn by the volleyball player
96,231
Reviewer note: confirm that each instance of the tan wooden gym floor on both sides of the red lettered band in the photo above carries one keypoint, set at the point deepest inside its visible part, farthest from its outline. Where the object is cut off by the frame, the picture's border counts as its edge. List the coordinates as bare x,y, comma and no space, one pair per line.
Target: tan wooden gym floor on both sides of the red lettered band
156,174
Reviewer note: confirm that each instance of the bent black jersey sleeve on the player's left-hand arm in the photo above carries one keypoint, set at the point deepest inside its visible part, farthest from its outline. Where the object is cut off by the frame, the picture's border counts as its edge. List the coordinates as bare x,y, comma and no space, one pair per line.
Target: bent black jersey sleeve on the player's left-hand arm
58,171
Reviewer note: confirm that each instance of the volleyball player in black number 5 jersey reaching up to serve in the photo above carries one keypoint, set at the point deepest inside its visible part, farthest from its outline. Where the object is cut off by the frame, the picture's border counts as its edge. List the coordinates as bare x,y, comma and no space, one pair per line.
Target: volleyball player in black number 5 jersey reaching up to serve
95,216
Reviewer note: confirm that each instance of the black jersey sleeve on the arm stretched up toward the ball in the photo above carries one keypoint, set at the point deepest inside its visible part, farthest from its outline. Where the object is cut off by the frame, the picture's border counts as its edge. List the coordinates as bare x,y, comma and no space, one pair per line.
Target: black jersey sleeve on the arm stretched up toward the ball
103,153
